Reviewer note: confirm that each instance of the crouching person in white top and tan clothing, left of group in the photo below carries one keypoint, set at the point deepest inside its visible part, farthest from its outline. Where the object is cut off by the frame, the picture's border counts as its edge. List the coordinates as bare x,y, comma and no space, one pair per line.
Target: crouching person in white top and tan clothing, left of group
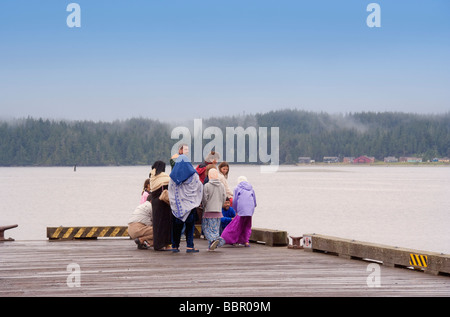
140,226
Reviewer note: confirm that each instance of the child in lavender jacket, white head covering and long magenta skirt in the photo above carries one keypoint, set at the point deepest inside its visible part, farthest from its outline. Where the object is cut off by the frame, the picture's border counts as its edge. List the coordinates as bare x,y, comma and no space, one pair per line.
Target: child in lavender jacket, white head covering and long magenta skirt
244,203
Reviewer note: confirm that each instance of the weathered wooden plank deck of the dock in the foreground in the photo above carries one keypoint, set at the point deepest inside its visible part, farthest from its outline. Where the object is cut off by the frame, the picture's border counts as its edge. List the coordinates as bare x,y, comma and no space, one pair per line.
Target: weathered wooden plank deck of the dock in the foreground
114,267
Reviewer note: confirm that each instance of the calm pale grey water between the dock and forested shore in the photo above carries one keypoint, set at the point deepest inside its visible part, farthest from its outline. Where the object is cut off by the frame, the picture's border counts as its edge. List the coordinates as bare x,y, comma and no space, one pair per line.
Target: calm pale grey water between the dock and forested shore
398,206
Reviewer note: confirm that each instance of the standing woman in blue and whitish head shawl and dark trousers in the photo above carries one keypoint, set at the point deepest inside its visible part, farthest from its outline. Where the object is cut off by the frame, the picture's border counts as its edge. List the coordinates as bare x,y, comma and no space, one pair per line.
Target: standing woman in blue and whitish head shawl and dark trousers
185,195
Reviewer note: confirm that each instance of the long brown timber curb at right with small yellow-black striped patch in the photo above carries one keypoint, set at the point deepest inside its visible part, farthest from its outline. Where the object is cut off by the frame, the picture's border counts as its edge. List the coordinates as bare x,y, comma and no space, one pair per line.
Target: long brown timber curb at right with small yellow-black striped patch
429,262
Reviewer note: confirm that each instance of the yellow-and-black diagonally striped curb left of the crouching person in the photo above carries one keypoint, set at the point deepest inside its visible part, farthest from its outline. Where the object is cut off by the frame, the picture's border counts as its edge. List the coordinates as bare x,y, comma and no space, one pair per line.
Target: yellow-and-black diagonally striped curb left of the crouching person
69,233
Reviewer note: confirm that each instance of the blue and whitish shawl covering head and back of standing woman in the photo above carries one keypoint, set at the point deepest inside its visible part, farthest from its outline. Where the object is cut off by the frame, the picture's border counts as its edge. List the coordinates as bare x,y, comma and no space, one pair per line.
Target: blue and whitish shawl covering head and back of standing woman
185,188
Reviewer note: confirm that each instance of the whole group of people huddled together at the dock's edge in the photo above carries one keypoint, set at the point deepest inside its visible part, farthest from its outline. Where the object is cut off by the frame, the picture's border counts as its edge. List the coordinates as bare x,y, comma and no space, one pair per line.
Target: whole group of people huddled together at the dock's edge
172,203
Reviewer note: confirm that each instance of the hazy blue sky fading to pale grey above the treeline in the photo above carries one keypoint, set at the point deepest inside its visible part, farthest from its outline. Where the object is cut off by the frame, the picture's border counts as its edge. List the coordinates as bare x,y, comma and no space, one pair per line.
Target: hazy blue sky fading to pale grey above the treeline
175,59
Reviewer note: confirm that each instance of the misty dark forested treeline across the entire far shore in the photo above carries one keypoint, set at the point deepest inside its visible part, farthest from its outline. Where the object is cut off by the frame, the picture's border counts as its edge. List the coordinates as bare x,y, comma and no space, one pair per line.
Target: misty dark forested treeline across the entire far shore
138,141
